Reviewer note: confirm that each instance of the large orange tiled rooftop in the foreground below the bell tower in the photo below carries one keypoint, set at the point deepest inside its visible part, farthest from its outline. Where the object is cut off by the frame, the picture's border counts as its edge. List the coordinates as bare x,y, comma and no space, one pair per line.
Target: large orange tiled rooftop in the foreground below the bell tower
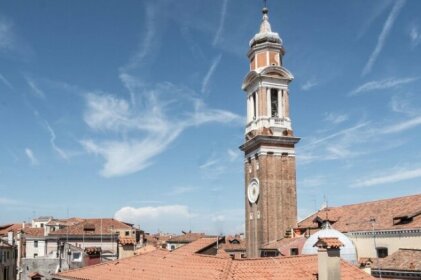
184,263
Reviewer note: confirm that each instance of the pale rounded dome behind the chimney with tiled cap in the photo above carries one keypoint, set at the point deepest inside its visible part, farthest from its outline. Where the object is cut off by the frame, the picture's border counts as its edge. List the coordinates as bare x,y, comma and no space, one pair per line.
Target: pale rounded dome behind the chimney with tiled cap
348,251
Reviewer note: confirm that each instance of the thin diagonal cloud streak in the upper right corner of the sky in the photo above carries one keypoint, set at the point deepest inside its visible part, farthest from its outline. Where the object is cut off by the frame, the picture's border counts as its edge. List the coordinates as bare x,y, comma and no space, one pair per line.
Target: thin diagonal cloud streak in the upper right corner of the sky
383,35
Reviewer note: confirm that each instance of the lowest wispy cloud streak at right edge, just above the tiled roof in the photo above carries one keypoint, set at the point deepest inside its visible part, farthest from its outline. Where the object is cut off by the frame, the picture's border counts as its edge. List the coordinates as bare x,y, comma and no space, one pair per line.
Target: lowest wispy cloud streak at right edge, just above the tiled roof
396,176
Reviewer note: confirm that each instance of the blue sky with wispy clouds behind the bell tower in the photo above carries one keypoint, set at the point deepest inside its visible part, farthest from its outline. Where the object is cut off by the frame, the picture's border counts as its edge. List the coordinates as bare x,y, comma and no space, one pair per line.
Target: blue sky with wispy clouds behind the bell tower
134,109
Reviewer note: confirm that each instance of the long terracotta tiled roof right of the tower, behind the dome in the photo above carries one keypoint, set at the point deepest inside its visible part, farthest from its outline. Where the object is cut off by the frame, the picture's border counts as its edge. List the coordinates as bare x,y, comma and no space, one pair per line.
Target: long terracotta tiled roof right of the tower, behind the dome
396,213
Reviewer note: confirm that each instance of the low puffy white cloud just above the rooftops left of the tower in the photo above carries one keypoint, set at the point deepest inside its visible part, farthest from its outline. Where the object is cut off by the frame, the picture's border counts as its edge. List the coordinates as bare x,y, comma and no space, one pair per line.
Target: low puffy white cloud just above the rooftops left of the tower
160,218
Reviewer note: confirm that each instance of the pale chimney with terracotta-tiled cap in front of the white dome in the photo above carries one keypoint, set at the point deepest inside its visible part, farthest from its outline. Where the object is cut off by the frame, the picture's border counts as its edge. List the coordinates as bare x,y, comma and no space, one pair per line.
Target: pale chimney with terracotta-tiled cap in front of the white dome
329,258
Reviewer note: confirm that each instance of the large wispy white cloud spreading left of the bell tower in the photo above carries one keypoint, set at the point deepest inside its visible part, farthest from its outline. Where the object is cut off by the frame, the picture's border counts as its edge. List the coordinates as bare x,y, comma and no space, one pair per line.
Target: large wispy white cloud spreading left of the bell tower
147,130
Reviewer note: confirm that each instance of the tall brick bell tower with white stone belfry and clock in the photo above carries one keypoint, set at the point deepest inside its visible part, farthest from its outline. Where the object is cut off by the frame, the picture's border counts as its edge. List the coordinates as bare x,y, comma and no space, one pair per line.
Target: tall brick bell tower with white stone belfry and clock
269,163
